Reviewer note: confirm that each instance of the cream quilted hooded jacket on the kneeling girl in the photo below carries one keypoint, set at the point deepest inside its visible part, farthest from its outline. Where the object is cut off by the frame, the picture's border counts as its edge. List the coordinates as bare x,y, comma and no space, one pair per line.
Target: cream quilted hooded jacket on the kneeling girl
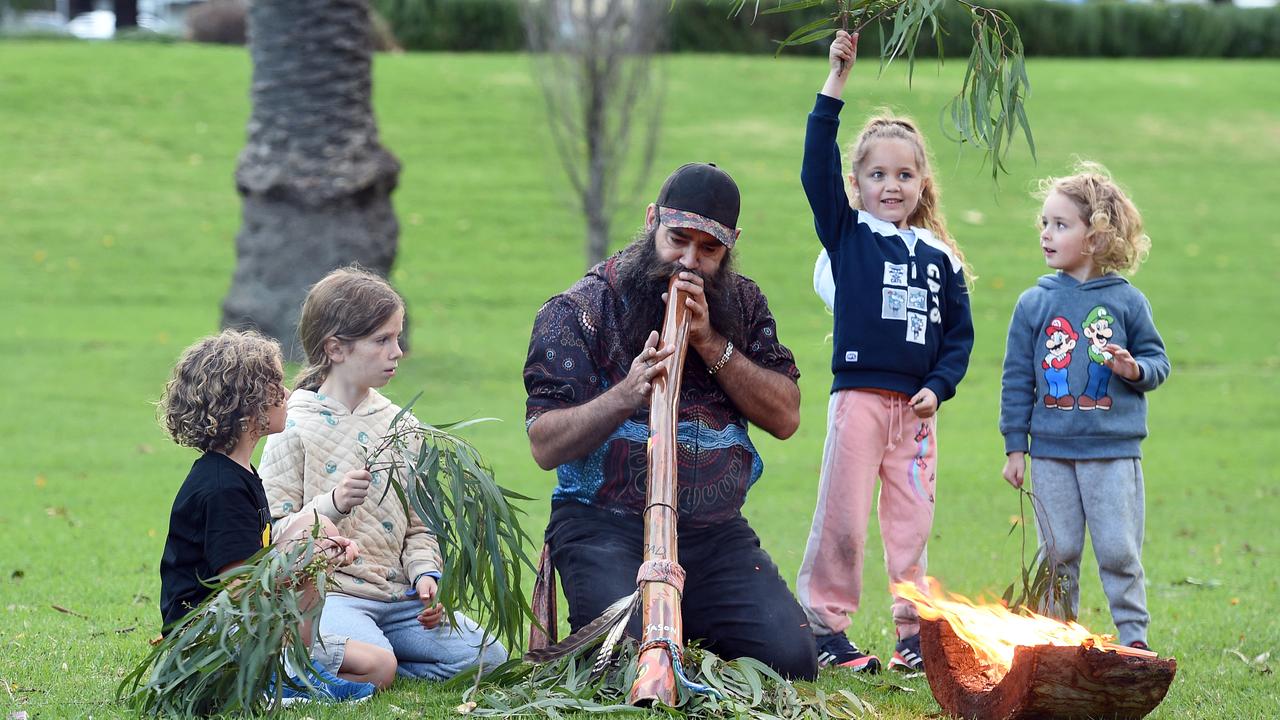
303,466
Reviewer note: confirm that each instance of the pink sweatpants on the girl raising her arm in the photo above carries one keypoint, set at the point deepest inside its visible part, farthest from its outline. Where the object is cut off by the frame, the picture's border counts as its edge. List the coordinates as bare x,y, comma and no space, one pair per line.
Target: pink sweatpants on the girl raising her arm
868,436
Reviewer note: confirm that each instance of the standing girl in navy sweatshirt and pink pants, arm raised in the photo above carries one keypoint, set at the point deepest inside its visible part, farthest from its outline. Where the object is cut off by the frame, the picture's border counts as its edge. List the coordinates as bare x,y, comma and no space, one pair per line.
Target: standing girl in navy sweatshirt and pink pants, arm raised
903,335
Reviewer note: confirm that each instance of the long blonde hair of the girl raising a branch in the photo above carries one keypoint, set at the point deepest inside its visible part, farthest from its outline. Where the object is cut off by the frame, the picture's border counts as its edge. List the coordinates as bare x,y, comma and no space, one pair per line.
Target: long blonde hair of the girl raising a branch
929,213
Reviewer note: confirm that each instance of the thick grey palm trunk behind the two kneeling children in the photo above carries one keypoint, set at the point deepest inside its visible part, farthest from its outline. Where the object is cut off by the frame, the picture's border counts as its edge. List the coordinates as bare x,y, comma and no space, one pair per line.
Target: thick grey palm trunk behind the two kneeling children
314,180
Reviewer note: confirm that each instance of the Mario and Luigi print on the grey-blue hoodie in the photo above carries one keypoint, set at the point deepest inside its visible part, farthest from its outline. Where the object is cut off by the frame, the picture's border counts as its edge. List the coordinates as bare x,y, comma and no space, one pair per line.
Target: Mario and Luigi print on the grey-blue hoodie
1060,340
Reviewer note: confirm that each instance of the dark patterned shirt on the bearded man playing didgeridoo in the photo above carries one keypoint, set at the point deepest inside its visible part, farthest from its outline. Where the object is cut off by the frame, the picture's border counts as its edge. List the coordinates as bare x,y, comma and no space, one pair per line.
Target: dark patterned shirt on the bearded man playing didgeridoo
578,353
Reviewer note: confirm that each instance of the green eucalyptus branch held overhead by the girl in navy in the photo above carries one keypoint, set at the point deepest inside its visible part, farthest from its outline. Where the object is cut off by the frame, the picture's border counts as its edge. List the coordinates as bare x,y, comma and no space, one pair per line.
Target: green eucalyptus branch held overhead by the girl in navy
990,108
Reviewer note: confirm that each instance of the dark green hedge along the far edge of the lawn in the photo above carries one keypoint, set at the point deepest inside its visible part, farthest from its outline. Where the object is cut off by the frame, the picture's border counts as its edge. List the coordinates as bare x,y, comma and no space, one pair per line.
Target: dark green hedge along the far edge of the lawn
1094,30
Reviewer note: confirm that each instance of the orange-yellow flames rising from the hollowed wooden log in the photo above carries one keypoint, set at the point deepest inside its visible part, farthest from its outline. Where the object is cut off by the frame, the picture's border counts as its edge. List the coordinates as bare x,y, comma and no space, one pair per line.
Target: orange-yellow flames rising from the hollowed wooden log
991,630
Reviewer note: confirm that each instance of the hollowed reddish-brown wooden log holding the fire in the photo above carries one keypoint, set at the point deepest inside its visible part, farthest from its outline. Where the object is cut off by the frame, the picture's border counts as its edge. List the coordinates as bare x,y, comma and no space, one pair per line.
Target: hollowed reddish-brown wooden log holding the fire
1045,682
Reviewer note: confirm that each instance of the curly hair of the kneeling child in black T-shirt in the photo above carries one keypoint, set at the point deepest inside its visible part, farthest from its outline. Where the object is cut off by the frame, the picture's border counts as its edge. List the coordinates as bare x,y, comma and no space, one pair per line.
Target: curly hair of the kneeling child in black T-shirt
221,388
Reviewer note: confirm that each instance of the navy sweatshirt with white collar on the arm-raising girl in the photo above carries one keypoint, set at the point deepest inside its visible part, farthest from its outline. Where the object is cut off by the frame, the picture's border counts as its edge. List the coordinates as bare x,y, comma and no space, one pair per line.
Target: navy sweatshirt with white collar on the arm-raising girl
903,320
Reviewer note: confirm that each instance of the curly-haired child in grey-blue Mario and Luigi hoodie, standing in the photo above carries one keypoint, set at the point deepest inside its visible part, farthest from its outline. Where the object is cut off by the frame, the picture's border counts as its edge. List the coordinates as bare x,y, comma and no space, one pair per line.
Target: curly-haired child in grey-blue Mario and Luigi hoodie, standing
1082,354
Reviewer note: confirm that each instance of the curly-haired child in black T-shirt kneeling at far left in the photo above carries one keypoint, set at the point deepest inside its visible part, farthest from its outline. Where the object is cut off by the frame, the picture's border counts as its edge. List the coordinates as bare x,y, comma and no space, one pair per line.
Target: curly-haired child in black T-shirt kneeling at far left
226,394
